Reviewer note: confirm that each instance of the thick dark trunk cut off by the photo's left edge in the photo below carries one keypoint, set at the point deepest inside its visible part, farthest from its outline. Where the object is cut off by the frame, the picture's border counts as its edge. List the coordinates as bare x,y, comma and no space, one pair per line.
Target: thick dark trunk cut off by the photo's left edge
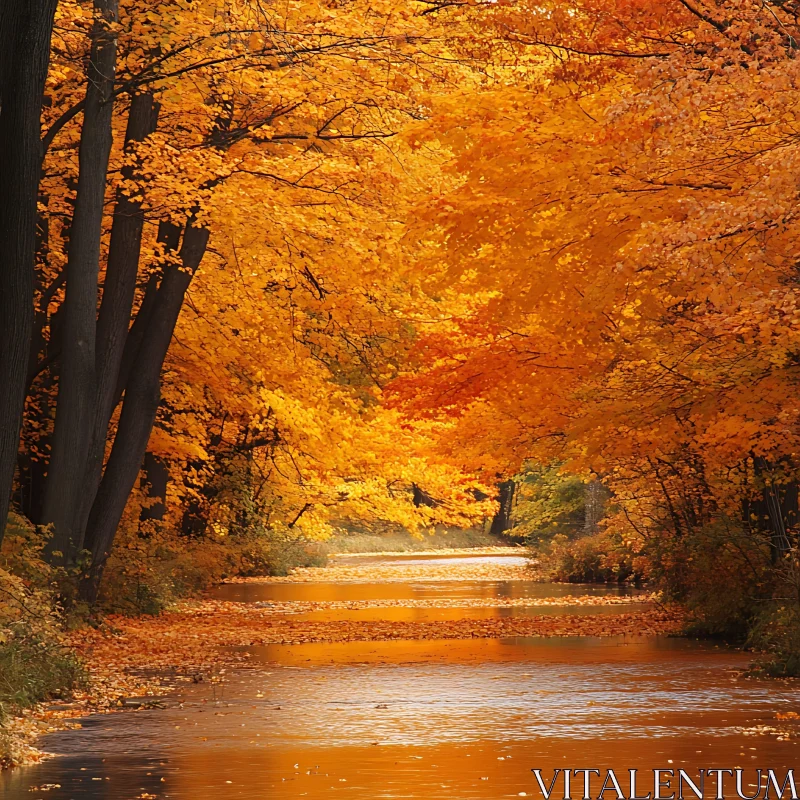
25,30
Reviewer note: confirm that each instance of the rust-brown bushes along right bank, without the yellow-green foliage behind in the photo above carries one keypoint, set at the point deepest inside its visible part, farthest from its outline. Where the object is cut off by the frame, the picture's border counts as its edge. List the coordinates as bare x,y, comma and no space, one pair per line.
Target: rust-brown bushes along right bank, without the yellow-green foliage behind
733,583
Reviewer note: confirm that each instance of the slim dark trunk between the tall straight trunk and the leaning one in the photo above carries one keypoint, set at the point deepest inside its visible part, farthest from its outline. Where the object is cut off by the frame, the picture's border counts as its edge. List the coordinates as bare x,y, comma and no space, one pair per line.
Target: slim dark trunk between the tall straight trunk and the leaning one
115,310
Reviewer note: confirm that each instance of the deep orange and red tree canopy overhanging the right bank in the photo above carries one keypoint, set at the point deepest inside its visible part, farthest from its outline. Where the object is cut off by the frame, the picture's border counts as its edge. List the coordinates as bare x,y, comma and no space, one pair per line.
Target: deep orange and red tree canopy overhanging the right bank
625,225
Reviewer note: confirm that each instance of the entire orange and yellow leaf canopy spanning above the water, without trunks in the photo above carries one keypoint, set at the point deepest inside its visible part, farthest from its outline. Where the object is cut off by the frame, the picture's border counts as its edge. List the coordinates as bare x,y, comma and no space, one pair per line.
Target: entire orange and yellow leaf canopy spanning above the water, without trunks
586,249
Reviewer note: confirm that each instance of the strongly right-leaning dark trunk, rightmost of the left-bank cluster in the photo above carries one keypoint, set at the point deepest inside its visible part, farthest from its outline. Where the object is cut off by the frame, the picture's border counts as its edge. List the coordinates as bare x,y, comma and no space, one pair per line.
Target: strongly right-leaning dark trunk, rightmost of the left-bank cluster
139,407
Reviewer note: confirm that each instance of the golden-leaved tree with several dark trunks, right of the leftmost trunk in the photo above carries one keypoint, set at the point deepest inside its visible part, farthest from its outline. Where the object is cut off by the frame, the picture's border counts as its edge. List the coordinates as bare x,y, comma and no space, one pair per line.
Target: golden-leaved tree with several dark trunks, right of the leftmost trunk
226,137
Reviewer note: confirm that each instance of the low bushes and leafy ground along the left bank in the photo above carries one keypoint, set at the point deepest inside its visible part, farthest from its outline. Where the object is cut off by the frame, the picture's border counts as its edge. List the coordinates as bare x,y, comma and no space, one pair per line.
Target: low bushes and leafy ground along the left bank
47,678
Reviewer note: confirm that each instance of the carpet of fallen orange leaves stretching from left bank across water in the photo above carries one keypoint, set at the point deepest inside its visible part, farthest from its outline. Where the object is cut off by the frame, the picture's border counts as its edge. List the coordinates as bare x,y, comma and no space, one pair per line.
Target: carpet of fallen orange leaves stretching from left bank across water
131,659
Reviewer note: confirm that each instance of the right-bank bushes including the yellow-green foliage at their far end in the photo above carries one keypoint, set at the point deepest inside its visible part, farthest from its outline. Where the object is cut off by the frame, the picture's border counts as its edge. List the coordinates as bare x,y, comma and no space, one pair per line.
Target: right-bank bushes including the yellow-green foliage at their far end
735,571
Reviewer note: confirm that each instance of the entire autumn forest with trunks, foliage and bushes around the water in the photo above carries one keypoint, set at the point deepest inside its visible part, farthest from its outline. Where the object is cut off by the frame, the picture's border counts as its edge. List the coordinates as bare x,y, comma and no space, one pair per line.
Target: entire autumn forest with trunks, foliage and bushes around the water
273,273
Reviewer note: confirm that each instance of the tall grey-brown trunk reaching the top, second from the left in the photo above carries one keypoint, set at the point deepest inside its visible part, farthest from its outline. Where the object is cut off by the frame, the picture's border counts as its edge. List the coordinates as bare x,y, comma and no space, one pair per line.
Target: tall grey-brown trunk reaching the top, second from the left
77,376
